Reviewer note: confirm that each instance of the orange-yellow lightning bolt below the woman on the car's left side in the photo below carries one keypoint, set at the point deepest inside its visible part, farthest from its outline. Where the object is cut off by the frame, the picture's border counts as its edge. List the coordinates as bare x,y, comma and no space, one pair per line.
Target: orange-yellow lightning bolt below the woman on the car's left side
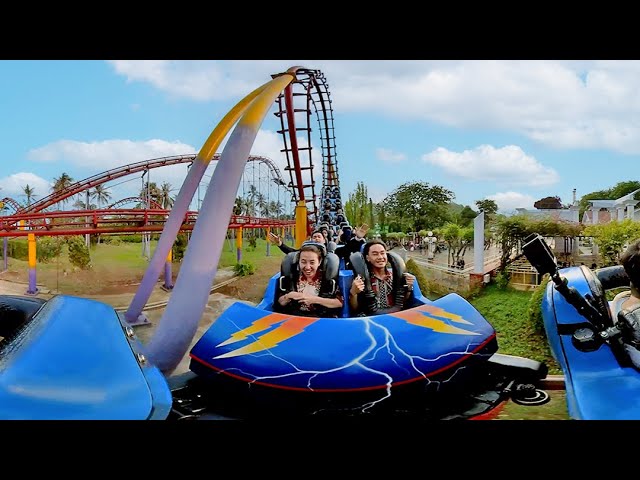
290,327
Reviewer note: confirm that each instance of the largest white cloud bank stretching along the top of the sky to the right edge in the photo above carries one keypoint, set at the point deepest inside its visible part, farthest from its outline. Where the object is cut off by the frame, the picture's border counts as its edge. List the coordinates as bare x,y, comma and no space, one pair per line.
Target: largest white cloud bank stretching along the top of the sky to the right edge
564,104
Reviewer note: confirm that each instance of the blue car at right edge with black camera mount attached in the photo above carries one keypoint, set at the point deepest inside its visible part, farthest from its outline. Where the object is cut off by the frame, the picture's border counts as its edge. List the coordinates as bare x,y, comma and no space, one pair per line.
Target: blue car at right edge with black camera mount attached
594,340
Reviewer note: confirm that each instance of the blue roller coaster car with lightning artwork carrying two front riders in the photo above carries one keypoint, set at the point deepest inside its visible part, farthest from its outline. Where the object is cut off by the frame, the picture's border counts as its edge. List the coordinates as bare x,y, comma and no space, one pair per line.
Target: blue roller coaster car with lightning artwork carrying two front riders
431,360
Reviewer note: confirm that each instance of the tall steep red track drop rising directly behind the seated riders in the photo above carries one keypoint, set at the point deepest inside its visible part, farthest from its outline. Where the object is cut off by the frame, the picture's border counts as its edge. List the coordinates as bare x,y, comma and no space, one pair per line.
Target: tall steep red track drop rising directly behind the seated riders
310,90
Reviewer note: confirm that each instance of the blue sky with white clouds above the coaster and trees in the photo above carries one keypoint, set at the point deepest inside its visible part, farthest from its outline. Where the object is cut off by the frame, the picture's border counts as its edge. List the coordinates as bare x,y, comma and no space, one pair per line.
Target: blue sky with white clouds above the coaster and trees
508,130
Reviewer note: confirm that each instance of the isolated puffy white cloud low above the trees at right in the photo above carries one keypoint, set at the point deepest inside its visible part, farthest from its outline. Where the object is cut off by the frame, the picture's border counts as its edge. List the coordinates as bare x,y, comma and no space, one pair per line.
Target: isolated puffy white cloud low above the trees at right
508,165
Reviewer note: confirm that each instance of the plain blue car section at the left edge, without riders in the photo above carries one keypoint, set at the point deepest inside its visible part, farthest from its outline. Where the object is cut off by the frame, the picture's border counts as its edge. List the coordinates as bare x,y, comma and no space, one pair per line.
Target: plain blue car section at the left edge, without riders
73,358
